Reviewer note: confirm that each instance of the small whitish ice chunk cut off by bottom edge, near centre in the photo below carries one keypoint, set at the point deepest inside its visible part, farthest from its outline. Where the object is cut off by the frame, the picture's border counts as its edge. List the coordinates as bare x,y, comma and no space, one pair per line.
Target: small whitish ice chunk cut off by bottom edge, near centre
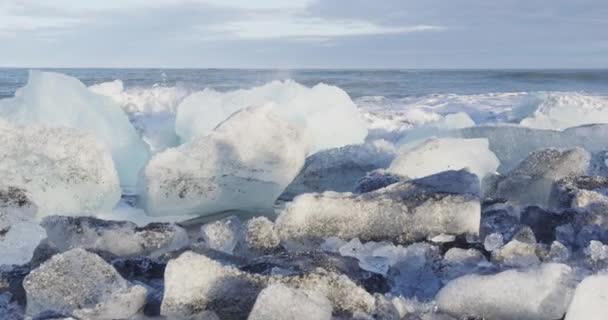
278,302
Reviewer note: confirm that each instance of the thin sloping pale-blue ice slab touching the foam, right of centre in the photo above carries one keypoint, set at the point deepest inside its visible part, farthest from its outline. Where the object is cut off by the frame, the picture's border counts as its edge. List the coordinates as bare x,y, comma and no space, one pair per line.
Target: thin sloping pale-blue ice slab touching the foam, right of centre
438,128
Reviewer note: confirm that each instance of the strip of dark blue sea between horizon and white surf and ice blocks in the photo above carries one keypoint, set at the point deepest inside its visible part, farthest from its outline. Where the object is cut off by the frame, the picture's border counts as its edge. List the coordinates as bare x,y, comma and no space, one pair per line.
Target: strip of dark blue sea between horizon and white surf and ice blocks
387,83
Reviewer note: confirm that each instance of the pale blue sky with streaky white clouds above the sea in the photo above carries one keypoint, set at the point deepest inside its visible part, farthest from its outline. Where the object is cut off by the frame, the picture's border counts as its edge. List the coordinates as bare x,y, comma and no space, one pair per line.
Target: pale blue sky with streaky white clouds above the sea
304,33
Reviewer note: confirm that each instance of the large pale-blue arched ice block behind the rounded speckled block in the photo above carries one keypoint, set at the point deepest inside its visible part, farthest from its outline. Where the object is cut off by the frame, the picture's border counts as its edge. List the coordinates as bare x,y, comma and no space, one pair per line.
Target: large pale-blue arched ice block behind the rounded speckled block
326,112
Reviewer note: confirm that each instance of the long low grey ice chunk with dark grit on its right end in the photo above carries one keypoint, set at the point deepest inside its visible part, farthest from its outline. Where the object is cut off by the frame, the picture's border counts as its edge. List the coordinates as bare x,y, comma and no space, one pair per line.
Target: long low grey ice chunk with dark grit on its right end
118,237
